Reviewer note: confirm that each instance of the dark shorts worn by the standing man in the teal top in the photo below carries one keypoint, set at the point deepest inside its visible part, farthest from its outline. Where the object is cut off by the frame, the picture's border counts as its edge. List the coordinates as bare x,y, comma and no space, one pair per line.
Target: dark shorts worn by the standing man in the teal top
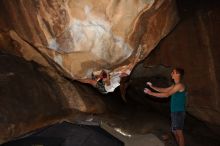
177,120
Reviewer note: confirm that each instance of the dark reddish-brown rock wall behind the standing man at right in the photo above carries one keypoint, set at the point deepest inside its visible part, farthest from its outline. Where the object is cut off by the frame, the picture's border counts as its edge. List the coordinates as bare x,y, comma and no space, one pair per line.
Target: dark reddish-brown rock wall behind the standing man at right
194,45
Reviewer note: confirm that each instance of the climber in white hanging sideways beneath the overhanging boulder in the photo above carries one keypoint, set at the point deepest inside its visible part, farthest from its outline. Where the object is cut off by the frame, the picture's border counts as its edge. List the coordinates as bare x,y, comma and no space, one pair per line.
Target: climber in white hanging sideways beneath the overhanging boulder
106,81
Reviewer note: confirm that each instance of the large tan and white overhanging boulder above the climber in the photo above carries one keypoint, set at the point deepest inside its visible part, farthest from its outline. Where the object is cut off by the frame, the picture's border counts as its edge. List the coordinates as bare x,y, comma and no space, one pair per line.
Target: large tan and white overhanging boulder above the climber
78,37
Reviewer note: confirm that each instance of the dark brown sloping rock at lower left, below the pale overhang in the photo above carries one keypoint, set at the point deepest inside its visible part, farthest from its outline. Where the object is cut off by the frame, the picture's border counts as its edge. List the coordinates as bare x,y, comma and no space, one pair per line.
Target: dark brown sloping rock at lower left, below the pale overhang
31,99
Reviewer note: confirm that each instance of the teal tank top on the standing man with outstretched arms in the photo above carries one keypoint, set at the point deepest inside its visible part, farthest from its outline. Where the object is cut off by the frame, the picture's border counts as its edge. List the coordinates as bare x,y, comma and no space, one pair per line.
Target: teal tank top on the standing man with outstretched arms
178,101
